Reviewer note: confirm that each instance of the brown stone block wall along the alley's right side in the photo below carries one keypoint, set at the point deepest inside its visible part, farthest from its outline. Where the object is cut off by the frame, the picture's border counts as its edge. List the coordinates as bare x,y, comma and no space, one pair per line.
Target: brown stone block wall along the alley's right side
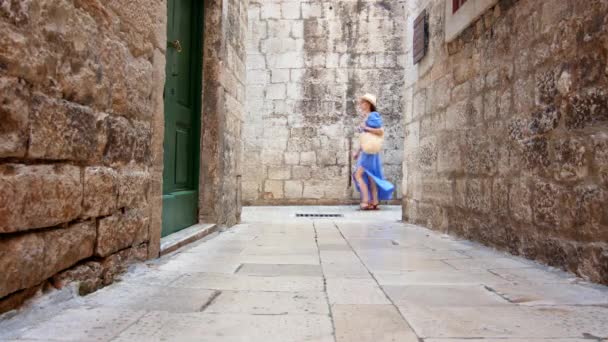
507,131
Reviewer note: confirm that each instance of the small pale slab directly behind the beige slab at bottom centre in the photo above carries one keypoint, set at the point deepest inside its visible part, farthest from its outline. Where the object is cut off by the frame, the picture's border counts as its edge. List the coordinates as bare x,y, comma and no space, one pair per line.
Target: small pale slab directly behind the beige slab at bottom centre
354,291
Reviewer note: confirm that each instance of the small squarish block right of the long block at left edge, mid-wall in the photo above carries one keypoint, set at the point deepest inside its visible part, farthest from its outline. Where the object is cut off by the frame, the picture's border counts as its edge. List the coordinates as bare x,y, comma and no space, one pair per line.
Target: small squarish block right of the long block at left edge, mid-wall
100,191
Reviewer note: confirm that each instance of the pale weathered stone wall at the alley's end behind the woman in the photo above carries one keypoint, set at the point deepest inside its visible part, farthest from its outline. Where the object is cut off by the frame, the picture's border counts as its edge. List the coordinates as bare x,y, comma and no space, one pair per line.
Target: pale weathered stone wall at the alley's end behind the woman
307,63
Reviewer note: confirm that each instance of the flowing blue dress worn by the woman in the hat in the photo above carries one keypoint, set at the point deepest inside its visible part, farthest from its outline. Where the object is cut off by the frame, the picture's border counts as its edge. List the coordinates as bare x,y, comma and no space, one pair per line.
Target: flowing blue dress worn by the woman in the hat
372,165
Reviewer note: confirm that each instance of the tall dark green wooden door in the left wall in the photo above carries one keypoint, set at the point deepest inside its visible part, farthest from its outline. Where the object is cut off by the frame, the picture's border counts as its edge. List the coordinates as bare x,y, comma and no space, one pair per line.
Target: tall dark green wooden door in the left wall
182,113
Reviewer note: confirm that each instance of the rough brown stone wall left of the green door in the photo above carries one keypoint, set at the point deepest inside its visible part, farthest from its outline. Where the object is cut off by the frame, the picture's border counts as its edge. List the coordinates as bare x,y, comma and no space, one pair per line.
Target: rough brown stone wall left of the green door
80,106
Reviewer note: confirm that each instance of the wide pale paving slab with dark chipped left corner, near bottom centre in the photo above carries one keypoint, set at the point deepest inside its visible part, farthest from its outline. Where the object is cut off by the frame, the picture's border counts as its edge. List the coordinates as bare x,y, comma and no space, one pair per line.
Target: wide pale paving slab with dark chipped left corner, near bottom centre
269,303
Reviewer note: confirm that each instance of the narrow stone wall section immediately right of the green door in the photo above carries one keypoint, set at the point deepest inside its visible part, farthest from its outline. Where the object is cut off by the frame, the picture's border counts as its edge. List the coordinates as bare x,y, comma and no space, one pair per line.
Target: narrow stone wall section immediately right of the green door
223,111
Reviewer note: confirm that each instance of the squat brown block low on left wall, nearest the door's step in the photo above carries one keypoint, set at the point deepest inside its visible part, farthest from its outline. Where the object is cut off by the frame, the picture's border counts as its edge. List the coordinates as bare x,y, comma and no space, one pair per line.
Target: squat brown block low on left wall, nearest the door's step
120,231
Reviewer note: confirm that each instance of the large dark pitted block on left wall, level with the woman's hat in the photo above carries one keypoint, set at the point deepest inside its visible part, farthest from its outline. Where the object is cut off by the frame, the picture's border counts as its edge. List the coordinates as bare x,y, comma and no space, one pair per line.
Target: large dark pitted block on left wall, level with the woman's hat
65,131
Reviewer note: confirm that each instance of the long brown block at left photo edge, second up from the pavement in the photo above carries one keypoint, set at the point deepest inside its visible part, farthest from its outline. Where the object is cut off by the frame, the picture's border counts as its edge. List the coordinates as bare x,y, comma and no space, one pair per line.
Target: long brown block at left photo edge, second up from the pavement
38,196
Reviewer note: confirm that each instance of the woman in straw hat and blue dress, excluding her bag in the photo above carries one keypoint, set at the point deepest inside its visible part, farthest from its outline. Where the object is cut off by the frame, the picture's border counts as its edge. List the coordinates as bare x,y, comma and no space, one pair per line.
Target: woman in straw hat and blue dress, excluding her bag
368,175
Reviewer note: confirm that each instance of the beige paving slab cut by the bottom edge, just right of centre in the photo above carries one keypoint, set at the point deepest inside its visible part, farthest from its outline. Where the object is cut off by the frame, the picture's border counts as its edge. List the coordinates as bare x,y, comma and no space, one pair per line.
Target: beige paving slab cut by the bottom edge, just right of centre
371,323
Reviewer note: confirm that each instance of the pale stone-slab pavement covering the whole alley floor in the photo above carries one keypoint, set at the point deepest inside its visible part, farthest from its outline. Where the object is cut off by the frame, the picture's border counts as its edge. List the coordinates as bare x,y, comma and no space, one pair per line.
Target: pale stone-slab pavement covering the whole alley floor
363,277
